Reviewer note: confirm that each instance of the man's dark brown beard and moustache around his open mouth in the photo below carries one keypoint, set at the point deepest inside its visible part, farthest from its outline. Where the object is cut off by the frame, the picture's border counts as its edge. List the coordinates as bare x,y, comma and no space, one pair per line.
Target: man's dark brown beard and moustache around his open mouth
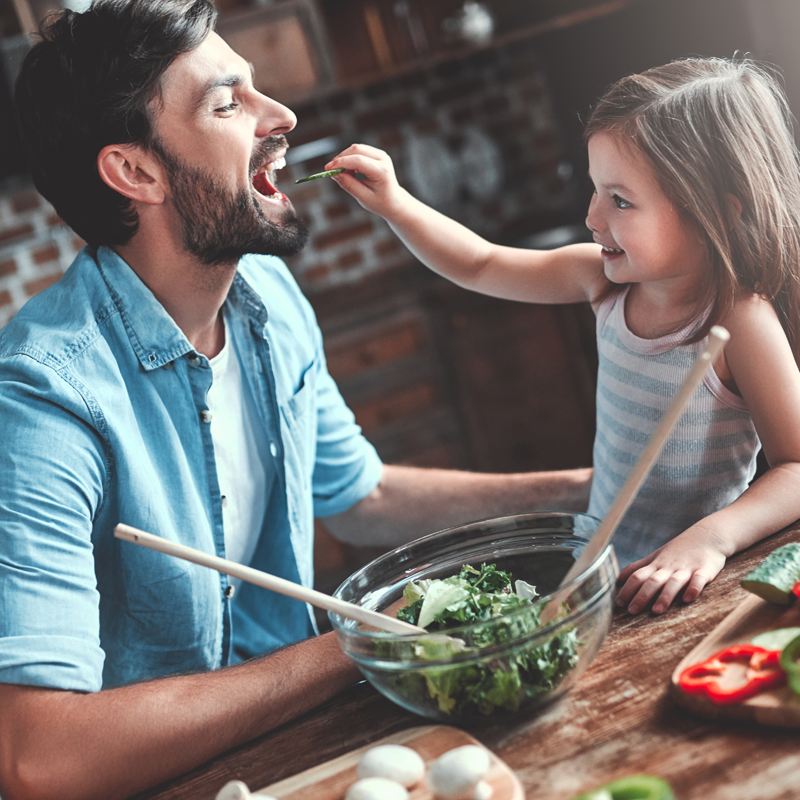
219,227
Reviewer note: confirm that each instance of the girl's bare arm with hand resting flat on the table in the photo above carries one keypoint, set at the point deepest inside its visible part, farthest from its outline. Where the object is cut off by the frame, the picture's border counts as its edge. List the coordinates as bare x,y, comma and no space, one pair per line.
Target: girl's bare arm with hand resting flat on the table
765,374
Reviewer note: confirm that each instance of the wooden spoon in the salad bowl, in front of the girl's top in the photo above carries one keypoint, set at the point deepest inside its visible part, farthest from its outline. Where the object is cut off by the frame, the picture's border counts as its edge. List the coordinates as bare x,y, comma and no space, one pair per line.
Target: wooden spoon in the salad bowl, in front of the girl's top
717,338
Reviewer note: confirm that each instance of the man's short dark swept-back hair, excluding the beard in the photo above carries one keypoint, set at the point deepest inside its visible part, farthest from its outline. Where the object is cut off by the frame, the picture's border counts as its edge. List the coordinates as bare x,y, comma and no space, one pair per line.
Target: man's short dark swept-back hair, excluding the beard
88,83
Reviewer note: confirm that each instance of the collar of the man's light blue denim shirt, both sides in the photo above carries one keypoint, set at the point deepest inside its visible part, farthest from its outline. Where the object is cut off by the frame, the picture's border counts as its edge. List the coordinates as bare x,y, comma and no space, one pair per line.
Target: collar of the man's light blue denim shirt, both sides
154,335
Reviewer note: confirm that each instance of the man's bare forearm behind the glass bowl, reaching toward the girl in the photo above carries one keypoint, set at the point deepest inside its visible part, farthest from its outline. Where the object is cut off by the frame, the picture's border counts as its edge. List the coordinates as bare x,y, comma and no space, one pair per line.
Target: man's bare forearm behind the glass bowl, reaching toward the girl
410,502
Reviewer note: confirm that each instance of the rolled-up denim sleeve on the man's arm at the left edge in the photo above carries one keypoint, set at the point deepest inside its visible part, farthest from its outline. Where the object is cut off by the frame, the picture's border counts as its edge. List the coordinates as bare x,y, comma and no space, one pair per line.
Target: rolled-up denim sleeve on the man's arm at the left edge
52,468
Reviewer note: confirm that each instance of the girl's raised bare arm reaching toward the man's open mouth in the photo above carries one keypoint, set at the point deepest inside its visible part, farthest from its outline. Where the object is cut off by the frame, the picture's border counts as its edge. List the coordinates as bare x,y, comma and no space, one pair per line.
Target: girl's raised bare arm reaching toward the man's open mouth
566,275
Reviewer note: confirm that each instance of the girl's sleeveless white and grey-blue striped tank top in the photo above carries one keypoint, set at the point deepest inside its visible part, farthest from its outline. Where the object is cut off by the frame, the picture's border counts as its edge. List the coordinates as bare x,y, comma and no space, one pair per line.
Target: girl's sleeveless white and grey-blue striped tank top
708,460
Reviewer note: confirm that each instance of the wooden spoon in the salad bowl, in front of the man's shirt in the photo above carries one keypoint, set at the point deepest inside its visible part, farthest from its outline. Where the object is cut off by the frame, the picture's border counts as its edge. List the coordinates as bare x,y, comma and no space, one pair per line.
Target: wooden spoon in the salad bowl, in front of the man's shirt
273,582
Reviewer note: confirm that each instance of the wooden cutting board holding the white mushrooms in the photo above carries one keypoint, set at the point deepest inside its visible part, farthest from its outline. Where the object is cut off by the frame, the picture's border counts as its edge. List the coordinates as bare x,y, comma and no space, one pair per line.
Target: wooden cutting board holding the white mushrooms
330,781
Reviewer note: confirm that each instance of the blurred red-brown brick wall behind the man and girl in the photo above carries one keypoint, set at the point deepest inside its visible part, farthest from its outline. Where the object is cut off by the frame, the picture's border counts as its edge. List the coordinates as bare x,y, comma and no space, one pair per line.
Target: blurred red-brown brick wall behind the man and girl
502,93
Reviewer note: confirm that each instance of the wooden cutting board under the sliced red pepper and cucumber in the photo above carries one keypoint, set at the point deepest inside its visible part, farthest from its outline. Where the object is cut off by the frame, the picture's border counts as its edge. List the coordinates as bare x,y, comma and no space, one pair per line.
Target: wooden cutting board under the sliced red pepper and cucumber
779,707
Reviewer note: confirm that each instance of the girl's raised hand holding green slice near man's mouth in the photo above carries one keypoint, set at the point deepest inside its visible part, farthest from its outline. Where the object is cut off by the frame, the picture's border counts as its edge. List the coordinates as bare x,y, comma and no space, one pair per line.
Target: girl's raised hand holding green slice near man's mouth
379,191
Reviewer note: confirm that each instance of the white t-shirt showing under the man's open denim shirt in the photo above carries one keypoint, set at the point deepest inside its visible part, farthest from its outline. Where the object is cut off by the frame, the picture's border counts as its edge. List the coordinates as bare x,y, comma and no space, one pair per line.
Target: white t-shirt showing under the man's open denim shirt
243,470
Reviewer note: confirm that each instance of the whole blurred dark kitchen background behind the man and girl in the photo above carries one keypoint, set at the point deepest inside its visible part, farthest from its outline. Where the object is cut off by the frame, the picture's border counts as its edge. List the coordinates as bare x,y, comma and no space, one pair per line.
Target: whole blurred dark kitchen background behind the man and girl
479,102
